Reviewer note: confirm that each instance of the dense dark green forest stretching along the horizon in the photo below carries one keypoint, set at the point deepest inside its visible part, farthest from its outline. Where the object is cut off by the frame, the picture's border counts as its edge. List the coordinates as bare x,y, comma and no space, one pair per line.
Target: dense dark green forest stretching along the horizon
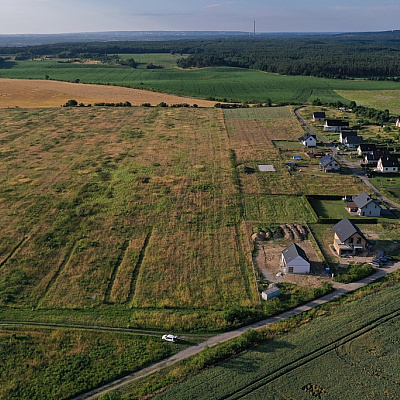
342,56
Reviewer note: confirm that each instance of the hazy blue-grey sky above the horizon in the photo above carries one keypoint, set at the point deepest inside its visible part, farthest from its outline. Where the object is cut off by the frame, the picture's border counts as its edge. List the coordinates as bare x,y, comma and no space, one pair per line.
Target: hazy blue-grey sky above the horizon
65,16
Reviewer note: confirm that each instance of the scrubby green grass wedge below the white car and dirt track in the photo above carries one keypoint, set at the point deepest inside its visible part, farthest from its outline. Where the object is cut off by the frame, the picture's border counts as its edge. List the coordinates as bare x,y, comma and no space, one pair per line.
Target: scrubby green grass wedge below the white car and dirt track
59,363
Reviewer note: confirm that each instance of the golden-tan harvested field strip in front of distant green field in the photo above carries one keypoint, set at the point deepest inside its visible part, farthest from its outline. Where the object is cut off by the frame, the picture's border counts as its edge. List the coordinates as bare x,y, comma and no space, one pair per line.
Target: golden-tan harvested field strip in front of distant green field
26,93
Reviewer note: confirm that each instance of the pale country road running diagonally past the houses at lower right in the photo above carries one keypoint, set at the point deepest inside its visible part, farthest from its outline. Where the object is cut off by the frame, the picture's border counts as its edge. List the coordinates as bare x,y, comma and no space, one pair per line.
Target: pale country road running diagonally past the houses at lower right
340,289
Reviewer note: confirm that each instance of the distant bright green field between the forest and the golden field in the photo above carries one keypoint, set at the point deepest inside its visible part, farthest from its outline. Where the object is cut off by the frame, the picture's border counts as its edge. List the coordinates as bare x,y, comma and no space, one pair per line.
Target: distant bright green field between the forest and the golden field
233,84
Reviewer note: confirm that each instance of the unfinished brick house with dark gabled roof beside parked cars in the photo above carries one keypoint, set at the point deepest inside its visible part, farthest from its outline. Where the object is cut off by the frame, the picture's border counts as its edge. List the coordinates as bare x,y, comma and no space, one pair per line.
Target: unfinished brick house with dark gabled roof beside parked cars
348,239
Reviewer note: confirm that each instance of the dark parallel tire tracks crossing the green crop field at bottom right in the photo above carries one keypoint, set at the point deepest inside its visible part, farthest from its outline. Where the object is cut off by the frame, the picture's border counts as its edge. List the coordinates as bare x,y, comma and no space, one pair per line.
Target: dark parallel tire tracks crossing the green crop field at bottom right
300,362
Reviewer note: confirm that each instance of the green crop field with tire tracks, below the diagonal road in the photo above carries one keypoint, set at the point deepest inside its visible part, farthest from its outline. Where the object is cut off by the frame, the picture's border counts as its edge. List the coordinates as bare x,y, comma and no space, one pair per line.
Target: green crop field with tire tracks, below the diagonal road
345,354
